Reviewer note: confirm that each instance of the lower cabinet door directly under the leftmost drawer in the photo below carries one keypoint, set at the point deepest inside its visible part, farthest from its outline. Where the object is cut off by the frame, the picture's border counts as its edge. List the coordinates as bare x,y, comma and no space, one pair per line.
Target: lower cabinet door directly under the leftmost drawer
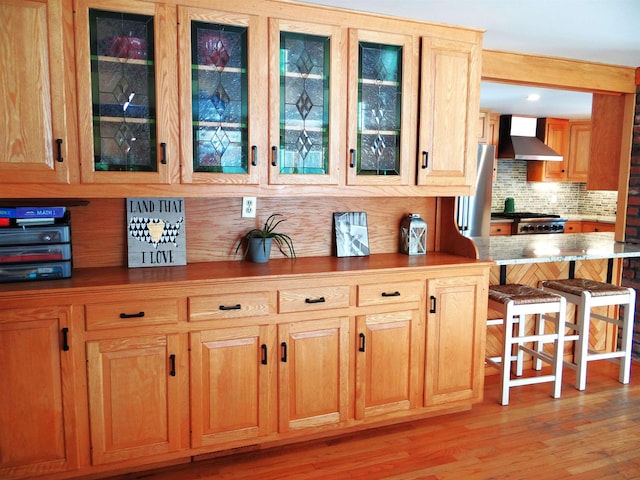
136,396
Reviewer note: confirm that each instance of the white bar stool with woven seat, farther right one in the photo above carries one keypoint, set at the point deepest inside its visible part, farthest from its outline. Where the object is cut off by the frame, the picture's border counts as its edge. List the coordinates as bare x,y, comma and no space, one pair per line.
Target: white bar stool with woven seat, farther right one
587,294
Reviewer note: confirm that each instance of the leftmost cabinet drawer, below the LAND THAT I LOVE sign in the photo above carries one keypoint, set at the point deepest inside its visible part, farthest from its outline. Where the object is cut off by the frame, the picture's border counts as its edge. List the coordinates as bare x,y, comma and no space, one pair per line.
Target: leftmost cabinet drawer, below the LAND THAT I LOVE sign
133,313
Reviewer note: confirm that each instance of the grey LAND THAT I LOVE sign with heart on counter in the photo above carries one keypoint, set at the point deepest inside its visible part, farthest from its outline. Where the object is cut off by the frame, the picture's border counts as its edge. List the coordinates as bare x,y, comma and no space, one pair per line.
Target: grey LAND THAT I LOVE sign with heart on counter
155,232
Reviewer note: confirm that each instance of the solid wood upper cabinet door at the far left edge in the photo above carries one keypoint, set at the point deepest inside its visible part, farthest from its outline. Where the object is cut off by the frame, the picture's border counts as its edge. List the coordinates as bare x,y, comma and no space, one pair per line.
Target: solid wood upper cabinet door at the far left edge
37,98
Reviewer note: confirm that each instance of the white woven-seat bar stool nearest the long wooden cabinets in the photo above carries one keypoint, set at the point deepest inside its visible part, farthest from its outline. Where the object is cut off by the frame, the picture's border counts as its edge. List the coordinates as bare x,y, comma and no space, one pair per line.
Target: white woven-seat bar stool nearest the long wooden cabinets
515,302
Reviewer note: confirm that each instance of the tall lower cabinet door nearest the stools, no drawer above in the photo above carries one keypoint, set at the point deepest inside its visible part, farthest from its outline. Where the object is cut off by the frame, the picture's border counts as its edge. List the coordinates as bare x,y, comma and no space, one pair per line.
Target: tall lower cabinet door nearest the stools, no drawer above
455,339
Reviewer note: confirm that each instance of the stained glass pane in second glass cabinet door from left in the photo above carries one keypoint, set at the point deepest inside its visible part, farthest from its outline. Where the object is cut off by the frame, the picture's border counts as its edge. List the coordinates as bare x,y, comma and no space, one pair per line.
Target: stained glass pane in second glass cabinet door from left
220,99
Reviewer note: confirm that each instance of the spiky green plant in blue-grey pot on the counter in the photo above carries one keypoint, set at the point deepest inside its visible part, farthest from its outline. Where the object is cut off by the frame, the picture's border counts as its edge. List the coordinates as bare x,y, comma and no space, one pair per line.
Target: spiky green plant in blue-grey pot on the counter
258,241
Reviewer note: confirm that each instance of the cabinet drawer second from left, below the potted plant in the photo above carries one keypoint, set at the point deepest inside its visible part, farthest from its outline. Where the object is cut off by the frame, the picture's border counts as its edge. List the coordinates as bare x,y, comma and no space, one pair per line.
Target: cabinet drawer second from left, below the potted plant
213,307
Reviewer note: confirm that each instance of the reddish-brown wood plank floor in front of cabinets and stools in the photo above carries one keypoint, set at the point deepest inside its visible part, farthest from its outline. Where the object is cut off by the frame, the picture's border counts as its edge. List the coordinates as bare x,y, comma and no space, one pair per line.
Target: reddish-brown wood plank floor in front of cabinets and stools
591,435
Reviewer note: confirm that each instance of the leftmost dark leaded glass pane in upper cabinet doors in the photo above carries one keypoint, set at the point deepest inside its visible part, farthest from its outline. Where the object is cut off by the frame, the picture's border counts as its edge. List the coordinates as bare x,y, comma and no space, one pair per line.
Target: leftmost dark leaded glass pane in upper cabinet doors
123,92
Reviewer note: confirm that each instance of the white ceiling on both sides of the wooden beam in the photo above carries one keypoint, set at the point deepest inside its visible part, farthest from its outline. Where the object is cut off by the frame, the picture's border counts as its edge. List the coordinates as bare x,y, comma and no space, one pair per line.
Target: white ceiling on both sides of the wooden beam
602,31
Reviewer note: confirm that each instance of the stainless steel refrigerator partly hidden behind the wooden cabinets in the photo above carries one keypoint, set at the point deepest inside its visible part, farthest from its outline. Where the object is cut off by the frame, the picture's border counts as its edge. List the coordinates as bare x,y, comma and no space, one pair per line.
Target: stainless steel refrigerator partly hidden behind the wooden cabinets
473,213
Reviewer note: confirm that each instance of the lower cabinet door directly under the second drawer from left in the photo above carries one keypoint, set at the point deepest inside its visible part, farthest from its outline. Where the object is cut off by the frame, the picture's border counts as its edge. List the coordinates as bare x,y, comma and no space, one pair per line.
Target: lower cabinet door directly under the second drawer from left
232,384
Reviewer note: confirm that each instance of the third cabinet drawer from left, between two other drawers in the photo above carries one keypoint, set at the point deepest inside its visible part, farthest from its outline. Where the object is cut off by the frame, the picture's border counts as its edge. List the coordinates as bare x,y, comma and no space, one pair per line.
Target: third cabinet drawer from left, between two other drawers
317,298
